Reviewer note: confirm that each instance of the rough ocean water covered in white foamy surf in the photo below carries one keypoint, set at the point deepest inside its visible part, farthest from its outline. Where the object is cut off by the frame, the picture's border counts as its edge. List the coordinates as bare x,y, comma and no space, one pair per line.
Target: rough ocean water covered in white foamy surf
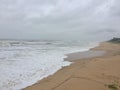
23,63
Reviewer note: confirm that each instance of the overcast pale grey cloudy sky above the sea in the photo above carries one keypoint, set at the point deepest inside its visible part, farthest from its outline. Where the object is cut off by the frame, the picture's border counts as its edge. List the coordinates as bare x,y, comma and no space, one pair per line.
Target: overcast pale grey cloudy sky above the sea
59,19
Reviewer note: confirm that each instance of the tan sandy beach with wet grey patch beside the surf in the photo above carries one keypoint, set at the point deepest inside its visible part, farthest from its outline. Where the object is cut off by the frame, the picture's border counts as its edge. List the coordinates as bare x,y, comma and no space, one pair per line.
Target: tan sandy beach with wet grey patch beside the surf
98,69
